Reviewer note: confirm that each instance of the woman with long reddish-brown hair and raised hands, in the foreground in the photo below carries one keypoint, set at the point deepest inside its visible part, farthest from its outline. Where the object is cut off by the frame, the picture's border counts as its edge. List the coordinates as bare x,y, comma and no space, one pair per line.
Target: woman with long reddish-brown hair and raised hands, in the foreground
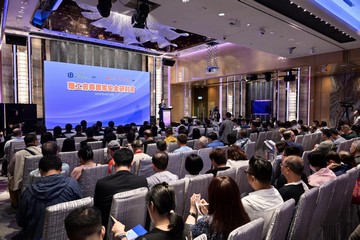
225,211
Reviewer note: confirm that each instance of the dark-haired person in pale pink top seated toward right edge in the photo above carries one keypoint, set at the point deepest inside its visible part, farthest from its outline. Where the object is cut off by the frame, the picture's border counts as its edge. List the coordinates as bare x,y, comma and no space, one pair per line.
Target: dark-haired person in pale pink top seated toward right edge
318,164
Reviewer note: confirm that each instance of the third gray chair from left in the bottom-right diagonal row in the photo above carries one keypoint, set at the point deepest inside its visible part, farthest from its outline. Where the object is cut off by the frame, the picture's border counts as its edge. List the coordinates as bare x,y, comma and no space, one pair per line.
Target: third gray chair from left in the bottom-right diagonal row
299,228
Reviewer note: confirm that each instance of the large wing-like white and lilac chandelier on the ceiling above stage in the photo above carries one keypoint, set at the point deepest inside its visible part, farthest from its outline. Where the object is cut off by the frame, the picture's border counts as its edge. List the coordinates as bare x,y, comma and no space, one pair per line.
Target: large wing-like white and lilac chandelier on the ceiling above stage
122,25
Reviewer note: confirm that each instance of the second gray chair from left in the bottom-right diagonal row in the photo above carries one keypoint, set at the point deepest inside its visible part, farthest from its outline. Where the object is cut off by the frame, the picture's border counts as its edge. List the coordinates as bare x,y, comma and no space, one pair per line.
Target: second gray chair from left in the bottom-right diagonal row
280,222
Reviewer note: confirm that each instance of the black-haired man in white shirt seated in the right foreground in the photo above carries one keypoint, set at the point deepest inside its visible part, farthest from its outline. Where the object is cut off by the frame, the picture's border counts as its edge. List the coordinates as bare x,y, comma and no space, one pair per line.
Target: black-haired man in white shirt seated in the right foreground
265,199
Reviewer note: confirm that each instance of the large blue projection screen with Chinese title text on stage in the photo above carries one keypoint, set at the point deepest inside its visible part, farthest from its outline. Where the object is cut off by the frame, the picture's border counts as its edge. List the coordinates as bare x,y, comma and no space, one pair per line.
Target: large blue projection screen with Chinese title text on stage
76,92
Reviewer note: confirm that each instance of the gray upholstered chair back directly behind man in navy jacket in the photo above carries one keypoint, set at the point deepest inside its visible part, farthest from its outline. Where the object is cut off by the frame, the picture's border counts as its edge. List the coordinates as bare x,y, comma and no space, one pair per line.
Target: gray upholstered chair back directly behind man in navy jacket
54,228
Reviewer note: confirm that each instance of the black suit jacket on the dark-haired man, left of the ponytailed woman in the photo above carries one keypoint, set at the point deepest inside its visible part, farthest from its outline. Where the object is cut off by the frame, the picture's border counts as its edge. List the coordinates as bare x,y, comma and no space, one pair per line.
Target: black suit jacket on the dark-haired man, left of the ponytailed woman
106,187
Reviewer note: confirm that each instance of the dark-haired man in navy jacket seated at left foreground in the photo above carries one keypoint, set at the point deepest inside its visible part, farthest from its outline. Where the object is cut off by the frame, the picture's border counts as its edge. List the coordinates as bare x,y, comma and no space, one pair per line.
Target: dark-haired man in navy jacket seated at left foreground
52,188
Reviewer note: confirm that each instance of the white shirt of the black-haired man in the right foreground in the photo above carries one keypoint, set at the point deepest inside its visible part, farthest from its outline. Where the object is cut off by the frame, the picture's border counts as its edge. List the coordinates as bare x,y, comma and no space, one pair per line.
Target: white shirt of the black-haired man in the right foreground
262,203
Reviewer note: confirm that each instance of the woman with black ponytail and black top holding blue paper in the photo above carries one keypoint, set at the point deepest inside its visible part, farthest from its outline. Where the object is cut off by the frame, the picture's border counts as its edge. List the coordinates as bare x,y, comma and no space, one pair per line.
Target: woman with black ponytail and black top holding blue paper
167,224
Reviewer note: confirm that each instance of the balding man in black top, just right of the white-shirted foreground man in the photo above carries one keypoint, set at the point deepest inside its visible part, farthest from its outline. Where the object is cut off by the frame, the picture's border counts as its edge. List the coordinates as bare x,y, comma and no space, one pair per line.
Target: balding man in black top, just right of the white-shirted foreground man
292,168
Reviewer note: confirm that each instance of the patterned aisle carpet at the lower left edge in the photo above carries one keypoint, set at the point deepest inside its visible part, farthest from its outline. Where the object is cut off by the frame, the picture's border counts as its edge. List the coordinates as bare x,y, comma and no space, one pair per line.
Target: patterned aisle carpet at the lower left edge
8,227
